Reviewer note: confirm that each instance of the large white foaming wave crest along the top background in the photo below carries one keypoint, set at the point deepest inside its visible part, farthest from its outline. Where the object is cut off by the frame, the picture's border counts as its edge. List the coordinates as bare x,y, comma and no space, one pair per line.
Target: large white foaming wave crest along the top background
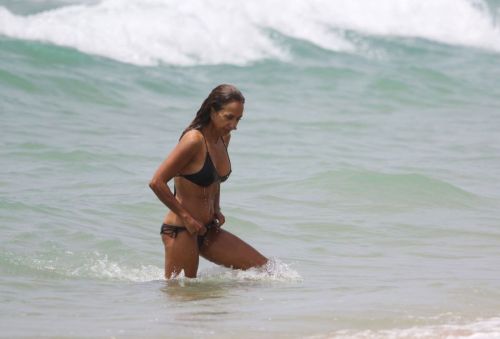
148,32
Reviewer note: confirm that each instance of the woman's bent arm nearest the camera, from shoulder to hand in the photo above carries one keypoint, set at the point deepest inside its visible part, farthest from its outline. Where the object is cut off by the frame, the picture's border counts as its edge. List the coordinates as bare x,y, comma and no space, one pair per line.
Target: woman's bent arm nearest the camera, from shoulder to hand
183,153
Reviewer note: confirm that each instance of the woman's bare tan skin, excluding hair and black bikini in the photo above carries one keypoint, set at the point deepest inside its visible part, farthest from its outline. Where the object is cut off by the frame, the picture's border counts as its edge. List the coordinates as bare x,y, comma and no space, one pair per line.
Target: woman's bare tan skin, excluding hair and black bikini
195,206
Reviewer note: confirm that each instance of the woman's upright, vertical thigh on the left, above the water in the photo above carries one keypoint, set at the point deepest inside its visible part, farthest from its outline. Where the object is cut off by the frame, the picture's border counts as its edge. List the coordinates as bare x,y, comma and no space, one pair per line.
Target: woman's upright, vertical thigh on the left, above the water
181,253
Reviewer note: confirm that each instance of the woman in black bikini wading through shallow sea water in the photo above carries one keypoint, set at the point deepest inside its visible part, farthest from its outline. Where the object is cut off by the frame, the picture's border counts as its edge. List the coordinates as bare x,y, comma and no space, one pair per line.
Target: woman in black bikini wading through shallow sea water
198,164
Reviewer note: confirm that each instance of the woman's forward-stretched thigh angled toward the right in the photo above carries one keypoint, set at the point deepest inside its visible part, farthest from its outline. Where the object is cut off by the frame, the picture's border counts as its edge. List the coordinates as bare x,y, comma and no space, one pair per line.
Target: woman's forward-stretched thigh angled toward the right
224,248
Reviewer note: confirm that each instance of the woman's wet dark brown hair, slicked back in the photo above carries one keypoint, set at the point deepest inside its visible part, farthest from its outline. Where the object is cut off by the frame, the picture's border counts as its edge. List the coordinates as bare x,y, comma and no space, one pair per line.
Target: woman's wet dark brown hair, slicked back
216,100
